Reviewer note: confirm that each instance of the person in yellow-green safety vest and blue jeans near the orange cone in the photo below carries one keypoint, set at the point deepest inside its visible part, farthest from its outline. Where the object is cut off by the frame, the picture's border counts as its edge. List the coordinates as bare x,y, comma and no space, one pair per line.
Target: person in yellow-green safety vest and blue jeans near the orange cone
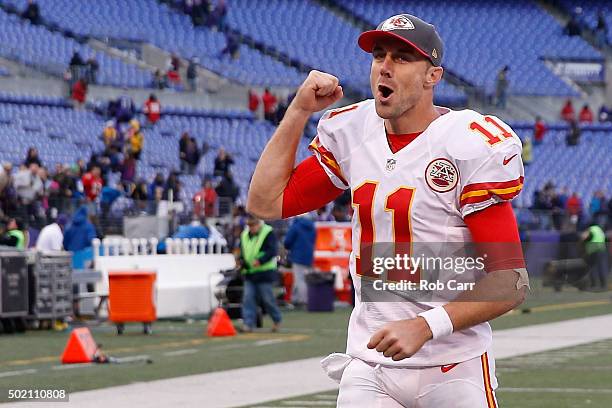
258,260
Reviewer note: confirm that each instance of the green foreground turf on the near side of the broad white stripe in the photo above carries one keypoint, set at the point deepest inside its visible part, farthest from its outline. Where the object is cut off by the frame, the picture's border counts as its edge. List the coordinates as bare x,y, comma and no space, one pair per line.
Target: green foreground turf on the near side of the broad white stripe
566,378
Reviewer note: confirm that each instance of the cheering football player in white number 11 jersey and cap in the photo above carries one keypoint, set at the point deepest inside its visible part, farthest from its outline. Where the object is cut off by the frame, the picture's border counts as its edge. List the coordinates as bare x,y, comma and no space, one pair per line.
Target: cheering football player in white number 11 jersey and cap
418,173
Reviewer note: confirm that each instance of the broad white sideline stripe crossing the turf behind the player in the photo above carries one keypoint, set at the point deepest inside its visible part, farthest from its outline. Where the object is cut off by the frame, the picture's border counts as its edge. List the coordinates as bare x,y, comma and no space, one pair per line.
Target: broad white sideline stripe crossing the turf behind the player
256,385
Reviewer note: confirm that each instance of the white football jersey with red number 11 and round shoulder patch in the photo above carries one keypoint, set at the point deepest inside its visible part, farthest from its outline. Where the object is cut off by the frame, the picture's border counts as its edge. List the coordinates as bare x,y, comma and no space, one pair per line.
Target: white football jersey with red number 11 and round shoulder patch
462,163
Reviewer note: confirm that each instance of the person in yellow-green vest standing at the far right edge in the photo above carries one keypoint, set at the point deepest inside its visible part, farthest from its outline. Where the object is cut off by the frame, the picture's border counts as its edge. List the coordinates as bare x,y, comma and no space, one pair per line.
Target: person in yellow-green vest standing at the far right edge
595,247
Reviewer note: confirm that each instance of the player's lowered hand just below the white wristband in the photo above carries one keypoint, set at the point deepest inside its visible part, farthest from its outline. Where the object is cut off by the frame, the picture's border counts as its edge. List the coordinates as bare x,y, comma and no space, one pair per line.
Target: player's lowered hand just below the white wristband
401,339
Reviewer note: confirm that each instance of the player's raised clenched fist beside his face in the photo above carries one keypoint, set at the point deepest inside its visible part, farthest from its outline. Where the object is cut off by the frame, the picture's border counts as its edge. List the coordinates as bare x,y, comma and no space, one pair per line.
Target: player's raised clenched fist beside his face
317,92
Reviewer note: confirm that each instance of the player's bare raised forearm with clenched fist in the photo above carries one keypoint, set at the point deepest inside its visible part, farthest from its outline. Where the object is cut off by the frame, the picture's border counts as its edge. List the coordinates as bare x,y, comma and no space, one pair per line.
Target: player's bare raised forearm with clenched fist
275,166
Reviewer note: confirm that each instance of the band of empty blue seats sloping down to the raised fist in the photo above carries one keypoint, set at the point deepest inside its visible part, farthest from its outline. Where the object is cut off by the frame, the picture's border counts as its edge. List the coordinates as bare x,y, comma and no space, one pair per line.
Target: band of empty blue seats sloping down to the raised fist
149,21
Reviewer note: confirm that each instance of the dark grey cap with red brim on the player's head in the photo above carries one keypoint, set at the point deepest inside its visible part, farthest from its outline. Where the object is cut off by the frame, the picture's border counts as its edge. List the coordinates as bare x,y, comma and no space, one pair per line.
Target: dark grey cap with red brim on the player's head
412,30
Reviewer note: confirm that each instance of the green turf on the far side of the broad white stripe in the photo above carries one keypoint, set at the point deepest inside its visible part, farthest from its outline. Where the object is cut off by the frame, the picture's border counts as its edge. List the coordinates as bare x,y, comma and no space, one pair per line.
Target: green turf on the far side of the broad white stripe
31,360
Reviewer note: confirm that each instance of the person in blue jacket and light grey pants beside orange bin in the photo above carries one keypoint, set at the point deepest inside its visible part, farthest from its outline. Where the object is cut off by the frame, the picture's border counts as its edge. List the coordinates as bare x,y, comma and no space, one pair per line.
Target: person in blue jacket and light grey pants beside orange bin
300,241
